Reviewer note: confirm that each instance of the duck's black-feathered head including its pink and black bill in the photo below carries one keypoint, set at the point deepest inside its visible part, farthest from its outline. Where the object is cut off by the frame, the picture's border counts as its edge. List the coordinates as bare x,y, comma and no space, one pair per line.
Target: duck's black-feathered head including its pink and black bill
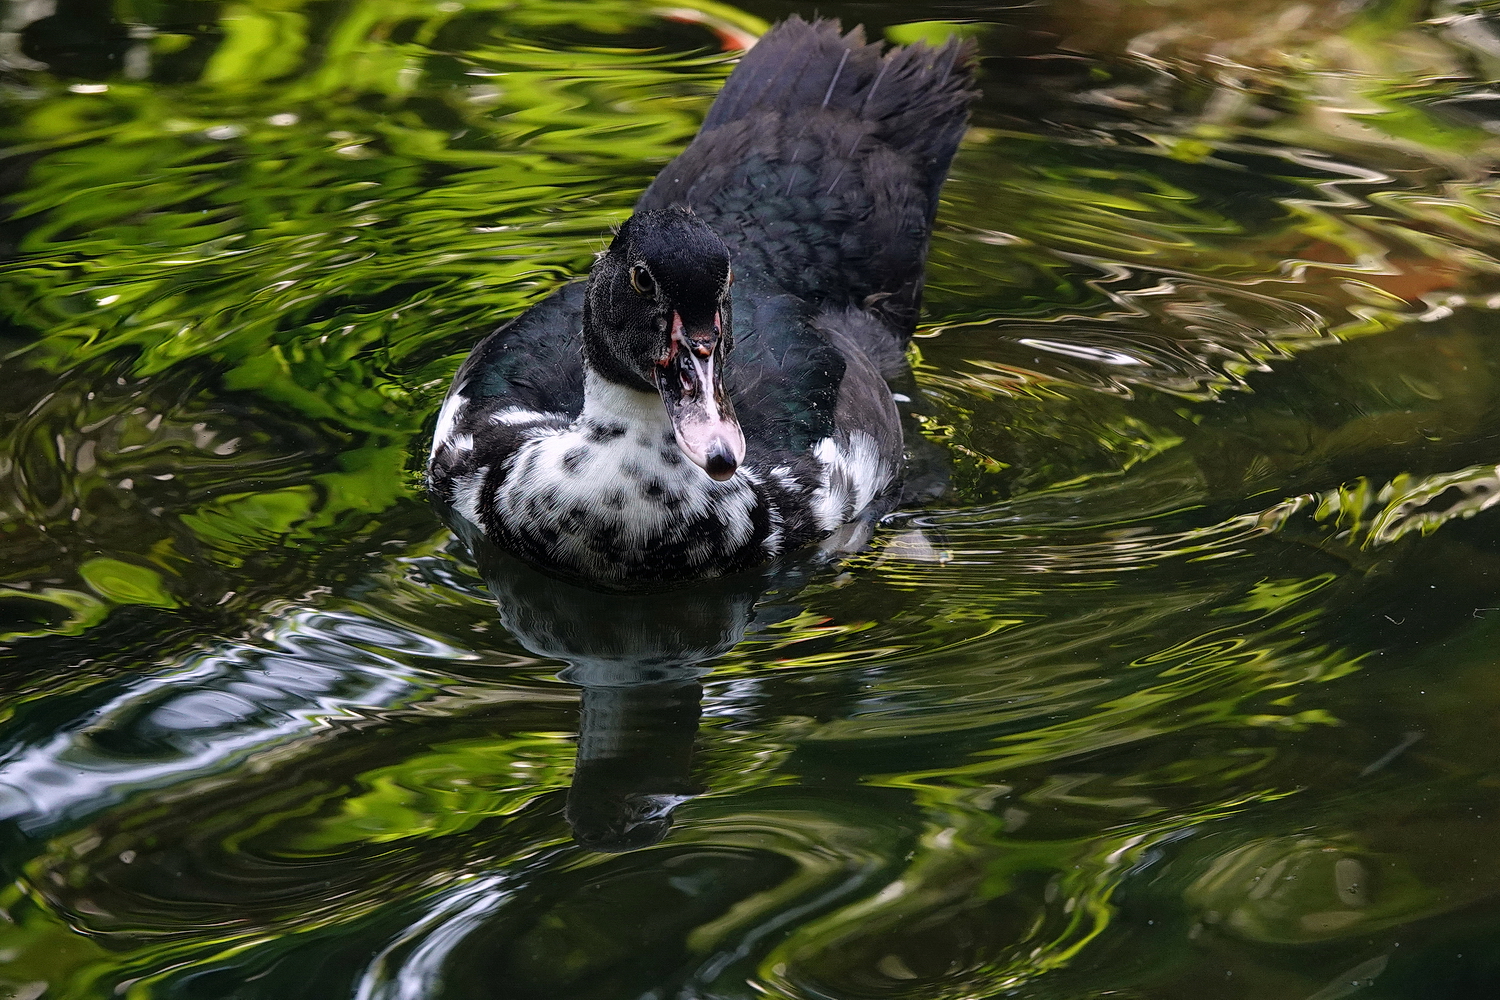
656,319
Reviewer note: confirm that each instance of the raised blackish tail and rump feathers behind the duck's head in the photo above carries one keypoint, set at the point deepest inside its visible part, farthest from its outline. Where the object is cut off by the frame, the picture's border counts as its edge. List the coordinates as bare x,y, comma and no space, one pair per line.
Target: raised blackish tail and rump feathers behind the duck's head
821,161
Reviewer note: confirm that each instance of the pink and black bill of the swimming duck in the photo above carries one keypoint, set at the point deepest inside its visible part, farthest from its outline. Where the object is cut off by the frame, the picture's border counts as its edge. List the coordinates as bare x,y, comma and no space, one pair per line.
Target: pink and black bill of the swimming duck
697,401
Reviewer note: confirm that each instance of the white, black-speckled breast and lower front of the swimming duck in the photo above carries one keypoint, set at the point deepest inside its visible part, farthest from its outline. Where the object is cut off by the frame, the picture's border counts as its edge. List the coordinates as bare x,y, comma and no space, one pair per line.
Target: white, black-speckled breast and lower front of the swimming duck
610,497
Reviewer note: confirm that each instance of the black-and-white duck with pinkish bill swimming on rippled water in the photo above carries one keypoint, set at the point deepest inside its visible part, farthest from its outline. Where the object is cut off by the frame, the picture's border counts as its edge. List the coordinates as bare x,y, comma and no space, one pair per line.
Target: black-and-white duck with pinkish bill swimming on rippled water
719,391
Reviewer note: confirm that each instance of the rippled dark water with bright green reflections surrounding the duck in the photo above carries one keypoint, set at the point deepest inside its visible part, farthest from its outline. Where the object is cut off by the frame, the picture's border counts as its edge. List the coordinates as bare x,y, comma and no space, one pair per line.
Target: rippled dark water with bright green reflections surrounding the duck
1187,689
